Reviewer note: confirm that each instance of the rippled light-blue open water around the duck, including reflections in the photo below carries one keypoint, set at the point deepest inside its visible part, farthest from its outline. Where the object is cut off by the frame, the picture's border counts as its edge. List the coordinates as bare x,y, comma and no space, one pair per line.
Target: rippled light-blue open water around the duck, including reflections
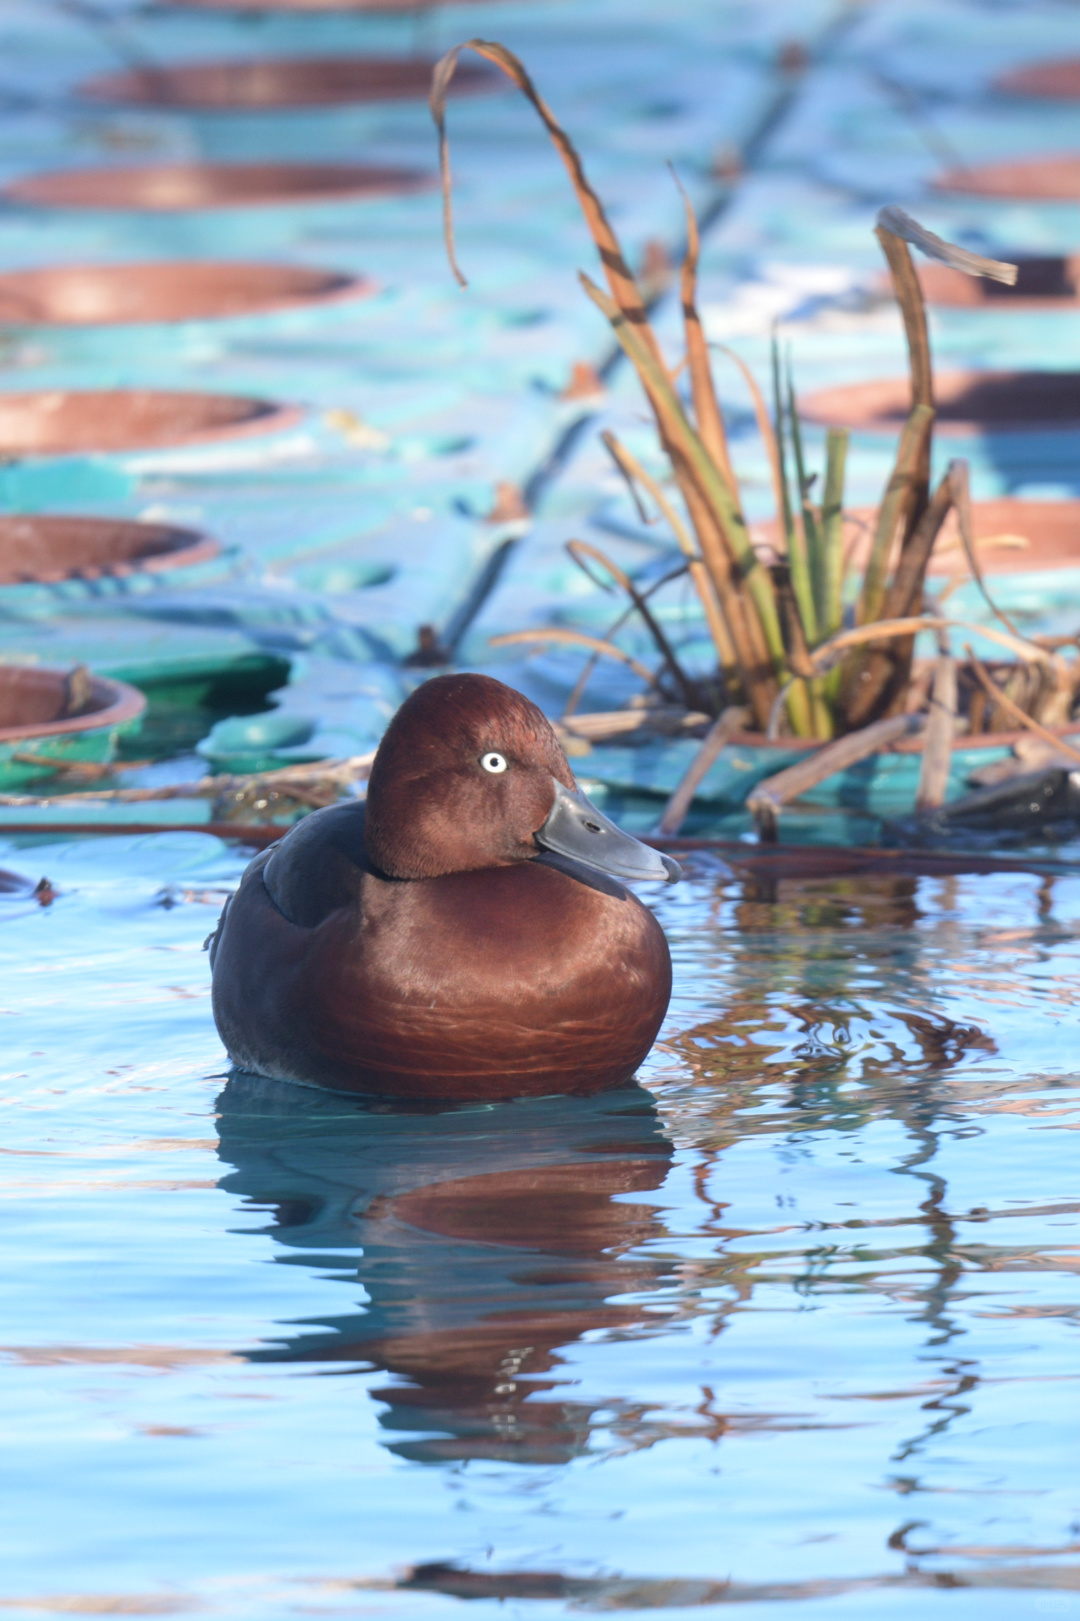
789,1325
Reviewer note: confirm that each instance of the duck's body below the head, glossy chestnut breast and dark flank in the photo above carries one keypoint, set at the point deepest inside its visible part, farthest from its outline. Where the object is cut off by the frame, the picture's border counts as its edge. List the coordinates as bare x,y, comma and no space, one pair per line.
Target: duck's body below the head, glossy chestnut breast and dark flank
513,982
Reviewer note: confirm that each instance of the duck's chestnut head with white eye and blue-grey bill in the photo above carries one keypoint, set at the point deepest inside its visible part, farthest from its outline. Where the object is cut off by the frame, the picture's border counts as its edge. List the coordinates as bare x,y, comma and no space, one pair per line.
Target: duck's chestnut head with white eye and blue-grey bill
471,776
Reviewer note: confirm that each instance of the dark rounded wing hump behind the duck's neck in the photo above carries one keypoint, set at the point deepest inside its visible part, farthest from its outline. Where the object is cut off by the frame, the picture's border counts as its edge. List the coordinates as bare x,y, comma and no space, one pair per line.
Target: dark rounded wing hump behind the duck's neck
319,866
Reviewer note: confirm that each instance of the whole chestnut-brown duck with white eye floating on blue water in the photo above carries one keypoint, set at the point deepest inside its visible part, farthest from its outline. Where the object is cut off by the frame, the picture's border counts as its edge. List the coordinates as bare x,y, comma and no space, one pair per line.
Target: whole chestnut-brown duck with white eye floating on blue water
463,935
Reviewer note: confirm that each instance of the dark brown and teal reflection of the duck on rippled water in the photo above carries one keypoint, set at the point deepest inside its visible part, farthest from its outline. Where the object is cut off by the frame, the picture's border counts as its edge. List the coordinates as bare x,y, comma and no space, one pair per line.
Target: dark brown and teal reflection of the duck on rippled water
491,1238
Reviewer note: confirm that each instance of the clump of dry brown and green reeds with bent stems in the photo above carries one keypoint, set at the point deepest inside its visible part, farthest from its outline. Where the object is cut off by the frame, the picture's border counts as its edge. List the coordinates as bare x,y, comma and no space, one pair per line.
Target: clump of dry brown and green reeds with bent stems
792,657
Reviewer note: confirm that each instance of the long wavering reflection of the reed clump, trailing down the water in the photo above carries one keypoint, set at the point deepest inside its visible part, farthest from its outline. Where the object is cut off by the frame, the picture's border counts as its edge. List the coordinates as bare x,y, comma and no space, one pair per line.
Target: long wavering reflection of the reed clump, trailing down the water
834,1017
